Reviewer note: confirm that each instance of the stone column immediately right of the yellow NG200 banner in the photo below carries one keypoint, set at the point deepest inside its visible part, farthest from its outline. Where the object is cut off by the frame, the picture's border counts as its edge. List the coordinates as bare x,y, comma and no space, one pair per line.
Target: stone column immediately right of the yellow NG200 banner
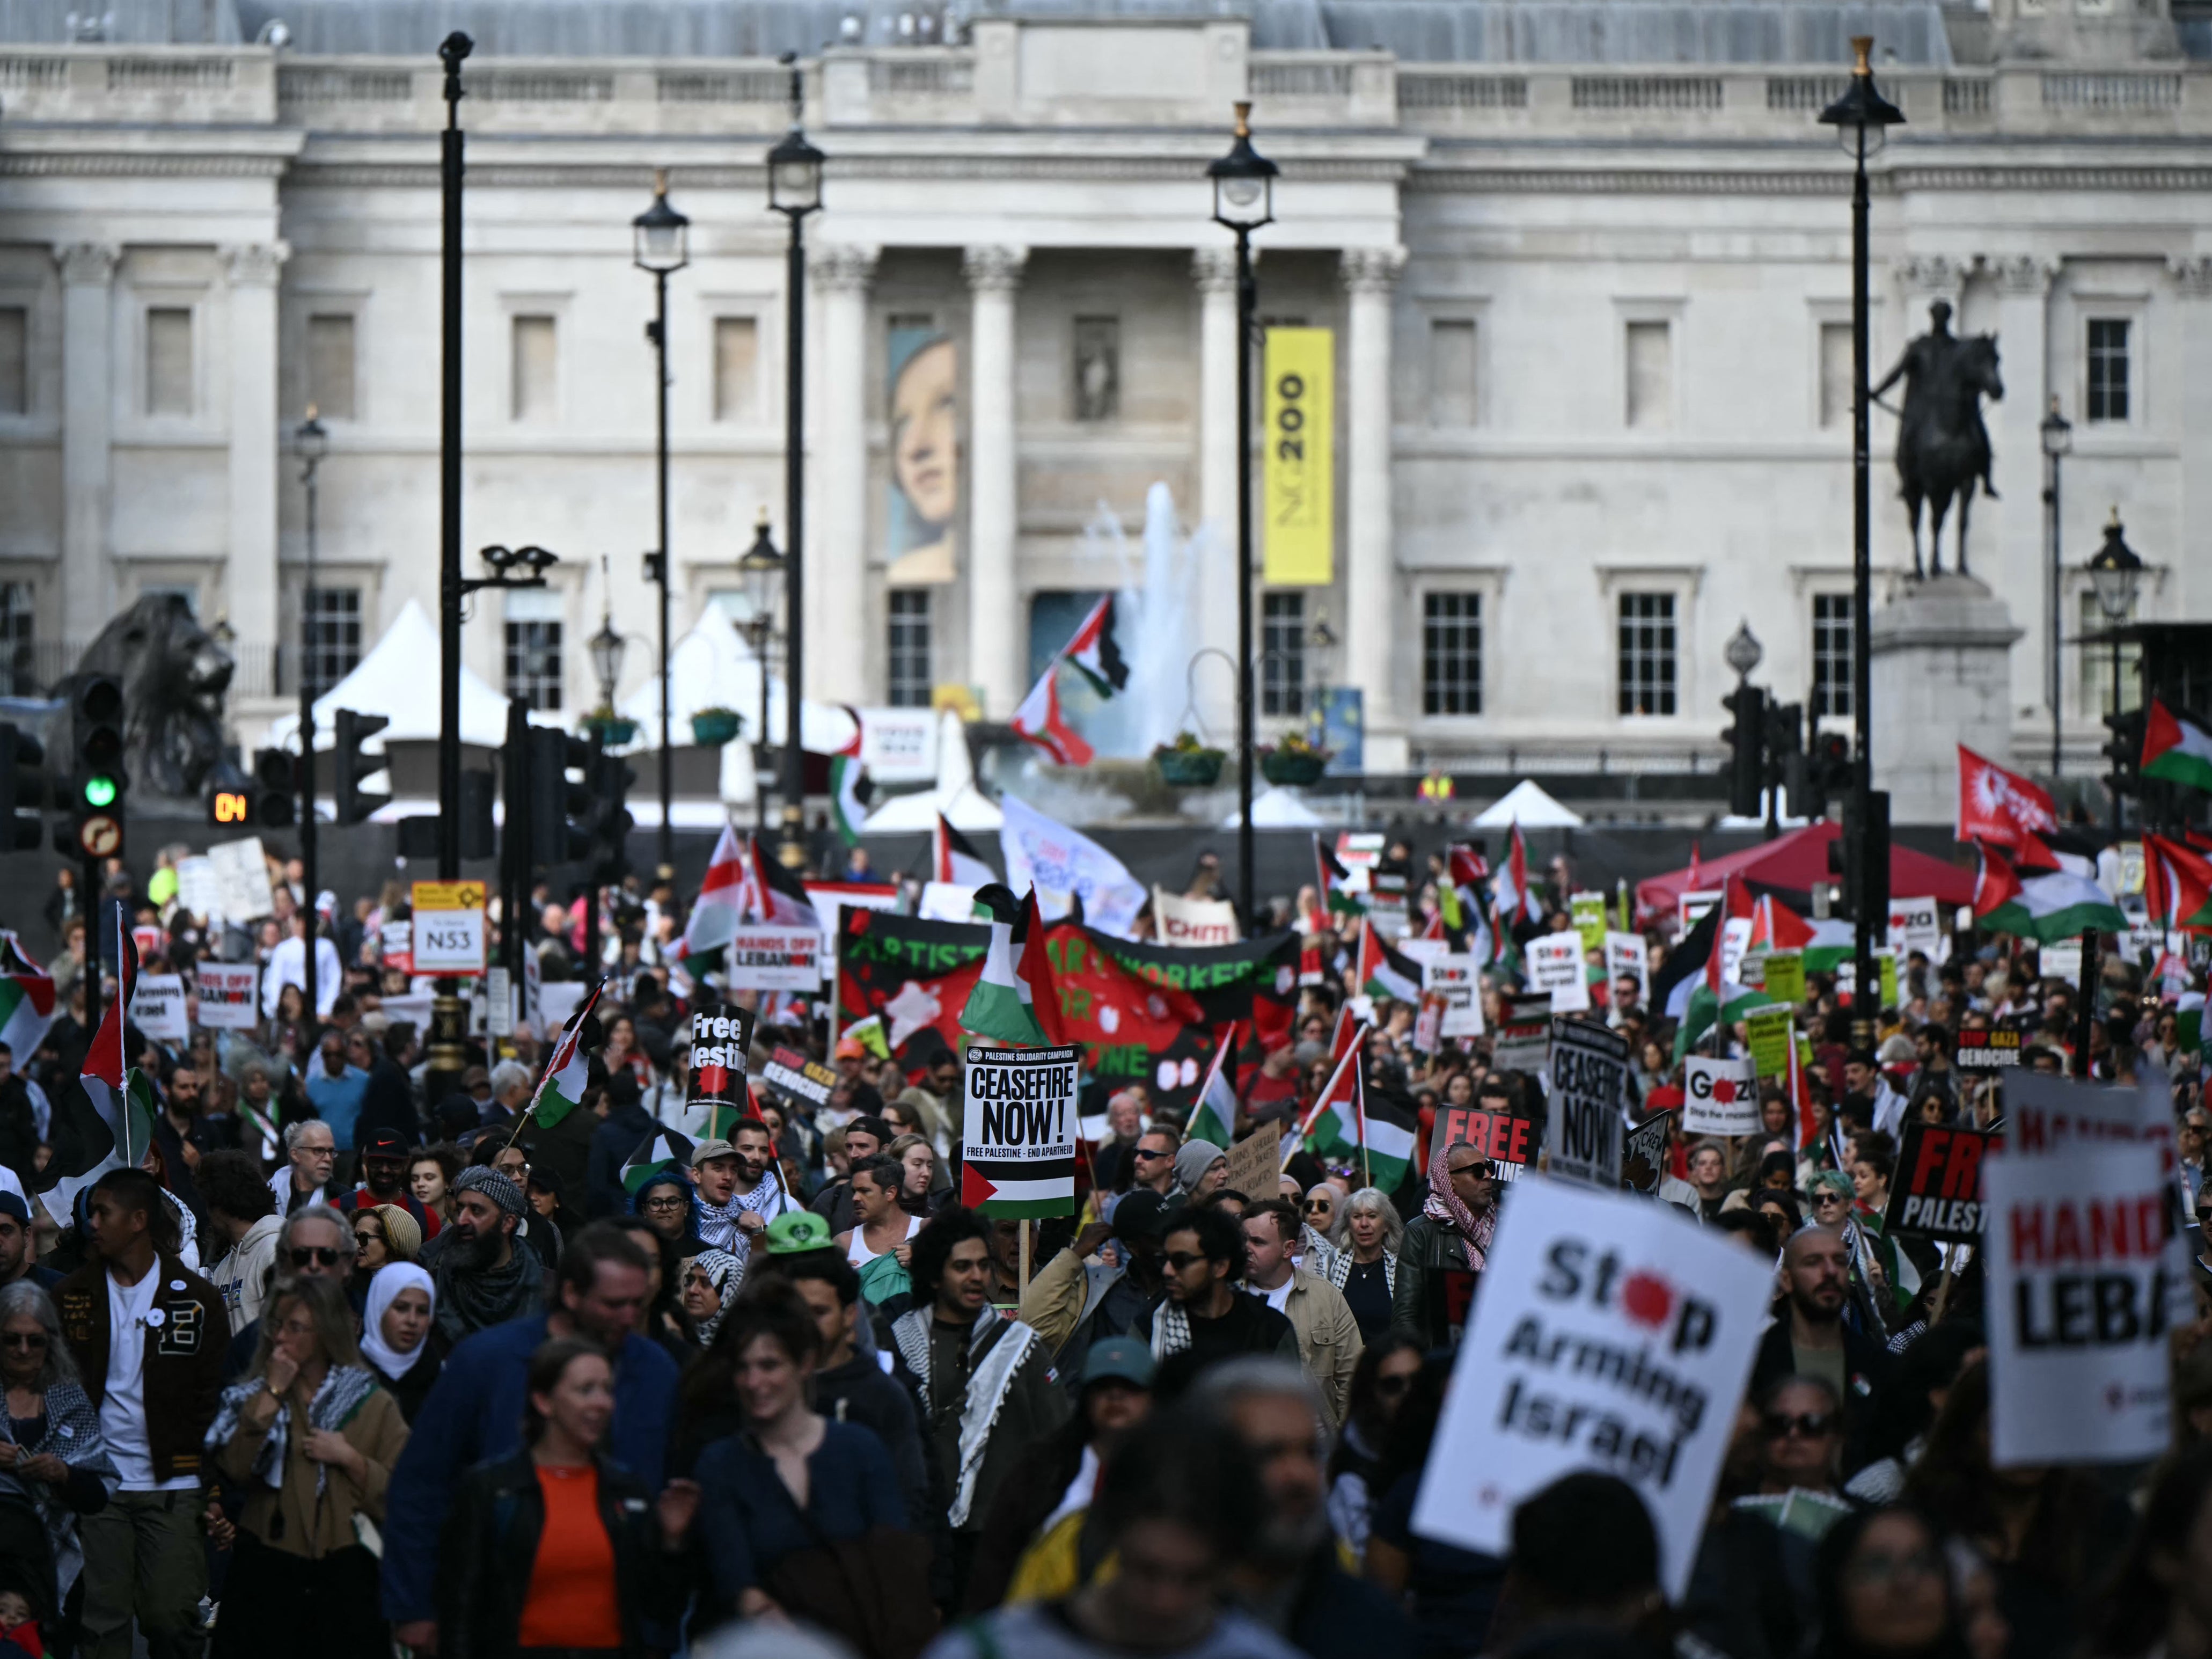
1370,556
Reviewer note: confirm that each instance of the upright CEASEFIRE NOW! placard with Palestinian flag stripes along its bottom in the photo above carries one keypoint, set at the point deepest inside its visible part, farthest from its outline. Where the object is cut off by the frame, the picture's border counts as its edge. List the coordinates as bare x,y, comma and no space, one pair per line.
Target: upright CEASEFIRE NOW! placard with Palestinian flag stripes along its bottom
1019,1131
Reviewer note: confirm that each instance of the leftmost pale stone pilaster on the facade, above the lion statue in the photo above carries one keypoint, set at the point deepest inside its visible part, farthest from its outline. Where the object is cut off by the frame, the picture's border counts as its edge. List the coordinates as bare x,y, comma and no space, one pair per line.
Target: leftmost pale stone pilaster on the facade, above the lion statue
87,437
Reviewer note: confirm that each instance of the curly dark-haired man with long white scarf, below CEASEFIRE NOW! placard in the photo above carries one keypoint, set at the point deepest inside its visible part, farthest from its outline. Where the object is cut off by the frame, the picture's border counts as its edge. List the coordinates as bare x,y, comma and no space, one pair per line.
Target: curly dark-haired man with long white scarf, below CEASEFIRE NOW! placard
985,1384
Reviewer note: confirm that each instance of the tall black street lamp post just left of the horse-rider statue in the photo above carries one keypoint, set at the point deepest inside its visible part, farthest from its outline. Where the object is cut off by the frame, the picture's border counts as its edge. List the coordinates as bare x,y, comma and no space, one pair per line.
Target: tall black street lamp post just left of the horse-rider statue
1864,121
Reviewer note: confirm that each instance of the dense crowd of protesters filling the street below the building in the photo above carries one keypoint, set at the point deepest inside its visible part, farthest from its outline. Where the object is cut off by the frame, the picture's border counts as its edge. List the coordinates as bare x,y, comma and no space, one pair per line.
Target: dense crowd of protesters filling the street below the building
346,1364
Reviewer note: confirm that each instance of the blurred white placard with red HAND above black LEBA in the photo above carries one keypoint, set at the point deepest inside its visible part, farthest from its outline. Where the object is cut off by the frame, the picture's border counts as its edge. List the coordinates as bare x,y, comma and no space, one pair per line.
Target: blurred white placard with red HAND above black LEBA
2078,1364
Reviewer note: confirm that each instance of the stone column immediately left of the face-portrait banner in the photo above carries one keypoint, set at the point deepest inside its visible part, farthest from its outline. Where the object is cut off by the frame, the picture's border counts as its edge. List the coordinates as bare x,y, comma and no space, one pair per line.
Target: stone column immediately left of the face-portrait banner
842,667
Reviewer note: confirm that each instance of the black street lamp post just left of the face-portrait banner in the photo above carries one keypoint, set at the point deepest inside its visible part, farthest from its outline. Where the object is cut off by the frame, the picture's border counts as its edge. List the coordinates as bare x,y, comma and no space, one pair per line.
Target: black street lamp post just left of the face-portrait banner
795,189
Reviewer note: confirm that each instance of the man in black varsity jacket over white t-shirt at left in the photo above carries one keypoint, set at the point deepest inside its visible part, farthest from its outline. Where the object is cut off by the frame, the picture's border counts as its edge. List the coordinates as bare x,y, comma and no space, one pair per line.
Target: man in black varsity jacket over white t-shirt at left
149,1344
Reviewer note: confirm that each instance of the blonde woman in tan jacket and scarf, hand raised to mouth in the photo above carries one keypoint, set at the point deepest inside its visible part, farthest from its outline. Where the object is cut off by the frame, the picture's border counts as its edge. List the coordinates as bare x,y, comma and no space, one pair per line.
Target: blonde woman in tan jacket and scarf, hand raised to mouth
311,1439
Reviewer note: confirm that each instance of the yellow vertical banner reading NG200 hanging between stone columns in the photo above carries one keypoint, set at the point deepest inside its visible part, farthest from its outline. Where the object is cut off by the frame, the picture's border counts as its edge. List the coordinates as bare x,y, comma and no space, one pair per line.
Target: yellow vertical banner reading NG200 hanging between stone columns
1300,466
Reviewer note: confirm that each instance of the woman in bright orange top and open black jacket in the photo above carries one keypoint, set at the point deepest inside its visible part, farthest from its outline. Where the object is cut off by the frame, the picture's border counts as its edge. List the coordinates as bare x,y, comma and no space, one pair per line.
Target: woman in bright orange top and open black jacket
601,1547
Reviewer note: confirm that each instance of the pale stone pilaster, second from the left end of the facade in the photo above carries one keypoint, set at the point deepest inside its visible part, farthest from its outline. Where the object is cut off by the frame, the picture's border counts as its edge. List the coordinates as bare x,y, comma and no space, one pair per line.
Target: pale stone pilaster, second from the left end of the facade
251,578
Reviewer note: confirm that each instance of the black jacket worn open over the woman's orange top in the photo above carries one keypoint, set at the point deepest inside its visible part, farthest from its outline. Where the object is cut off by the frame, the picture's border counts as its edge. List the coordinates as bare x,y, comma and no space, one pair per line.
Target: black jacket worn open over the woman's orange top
490,1545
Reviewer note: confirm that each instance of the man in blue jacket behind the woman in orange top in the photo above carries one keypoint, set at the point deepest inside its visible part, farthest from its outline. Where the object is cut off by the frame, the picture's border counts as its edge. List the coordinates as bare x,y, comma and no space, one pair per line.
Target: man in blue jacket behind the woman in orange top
474,1412
